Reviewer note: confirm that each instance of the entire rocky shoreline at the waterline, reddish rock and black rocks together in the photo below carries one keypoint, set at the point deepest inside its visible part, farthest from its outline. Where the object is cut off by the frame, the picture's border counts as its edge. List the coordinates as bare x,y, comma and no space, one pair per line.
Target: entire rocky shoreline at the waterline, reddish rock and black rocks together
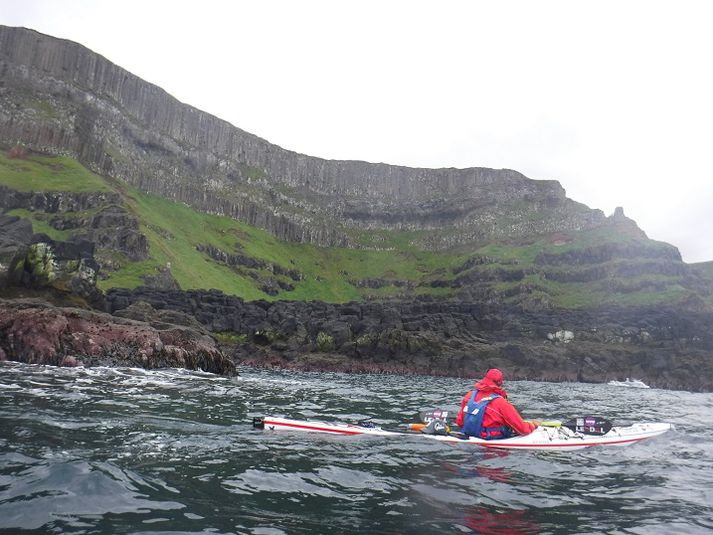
217,333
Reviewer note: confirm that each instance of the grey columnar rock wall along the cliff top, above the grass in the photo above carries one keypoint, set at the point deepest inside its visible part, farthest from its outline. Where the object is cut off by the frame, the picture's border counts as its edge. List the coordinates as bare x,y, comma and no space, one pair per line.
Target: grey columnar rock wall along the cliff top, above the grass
59,97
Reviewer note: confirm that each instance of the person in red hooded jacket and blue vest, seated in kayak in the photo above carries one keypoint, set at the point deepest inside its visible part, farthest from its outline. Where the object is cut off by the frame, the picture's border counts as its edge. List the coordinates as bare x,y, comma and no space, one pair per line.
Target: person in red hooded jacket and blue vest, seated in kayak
485,411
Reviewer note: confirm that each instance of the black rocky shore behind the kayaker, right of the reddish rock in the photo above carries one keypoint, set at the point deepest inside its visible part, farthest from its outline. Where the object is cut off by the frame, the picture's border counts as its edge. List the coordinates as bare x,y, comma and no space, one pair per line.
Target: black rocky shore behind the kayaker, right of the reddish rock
666,347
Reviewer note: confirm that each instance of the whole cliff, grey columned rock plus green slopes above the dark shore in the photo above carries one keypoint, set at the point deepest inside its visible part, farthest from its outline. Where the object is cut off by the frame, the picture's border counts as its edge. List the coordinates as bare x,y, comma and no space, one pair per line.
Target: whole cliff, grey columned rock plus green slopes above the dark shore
470,234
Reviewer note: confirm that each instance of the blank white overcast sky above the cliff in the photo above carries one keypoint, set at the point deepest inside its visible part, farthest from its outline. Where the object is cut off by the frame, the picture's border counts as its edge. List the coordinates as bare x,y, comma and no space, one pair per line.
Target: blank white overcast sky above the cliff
612,98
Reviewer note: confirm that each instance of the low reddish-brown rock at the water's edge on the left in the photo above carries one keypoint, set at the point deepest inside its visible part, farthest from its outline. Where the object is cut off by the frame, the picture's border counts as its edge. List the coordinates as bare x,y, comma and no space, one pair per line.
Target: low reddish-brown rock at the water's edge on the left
38,333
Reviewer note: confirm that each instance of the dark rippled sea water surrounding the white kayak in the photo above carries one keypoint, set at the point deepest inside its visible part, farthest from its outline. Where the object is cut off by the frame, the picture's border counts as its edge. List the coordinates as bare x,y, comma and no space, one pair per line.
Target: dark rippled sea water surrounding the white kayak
104,450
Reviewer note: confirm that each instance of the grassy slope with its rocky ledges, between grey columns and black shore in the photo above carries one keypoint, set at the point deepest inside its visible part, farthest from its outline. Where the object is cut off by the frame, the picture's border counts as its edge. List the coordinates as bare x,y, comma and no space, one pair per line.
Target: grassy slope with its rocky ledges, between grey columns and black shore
613,263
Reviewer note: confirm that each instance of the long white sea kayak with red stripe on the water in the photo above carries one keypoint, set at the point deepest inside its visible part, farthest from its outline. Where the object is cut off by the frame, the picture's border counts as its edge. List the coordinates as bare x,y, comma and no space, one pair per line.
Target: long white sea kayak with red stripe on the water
542,438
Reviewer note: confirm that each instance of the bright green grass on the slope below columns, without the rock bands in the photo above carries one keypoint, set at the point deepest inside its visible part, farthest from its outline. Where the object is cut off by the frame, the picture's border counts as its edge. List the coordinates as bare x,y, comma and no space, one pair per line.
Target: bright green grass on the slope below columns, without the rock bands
174,230
